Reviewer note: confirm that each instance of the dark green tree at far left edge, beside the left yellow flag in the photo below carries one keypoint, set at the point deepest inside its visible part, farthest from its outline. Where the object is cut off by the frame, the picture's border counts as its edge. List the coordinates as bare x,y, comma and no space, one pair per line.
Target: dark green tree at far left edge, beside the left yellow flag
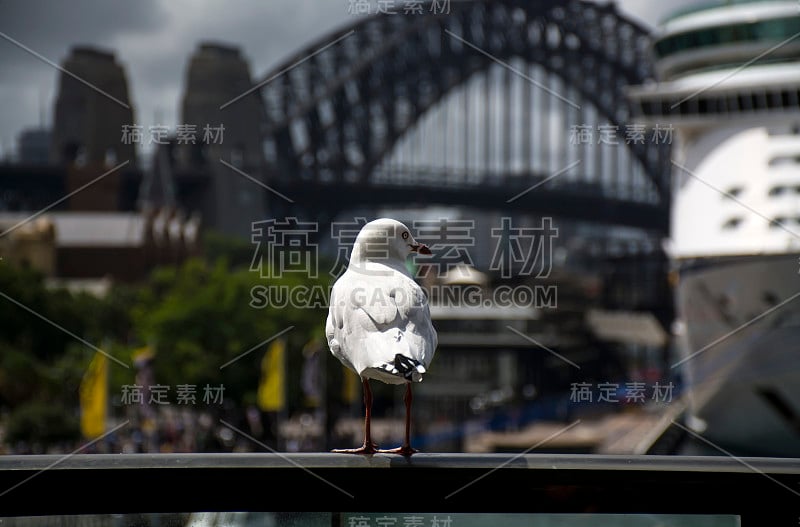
41,364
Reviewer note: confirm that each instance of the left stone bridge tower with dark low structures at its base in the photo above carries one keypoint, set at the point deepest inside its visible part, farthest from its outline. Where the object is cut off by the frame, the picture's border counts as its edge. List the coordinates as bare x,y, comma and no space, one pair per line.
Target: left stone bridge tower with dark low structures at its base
81,156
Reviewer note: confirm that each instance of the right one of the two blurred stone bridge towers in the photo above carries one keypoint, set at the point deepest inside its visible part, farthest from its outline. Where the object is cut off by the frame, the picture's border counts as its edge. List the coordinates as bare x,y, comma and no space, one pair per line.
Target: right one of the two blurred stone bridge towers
219,129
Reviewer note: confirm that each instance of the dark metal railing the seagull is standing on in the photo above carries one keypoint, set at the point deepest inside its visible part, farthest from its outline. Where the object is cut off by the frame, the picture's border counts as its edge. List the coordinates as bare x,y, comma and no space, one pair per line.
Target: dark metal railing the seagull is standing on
761,491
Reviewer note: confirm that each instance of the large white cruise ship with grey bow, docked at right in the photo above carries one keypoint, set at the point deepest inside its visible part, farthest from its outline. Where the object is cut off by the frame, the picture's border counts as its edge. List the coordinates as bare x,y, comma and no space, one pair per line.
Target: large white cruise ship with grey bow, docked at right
729,84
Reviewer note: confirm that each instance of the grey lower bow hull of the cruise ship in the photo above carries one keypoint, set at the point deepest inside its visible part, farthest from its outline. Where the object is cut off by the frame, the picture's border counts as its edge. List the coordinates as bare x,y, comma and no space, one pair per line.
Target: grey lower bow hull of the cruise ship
742,352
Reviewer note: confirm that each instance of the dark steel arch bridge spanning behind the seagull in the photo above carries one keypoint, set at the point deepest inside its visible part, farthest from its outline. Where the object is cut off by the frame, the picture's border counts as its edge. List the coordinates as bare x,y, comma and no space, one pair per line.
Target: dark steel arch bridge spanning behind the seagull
338,109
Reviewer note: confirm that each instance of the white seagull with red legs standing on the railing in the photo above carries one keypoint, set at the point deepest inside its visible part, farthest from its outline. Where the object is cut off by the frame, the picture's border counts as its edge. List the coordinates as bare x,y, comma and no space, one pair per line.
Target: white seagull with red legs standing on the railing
379,322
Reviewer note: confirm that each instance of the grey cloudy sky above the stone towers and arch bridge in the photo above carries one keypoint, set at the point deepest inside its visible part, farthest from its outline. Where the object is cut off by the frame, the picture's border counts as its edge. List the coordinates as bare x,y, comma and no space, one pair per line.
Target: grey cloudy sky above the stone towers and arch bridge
153,39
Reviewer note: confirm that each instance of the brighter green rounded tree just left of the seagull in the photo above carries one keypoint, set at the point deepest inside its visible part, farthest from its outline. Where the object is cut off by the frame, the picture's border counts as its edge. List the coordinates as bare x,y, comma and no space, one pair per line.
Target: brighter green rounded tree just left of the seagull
201,320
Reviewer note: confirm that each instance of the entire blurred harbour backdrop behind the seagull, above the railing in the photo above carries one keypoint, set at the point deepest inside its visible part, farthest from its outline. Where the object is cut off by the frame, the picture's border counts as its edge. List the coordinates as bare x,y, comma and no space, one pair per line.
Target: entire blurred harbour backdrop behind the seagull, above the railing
181,183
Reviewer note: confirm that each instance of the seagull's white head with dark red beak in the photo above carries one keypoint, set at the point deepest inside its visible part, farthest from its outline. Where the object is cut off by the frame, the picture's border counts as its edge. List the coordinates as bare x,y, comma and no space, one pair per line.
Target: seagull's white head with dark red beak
385,239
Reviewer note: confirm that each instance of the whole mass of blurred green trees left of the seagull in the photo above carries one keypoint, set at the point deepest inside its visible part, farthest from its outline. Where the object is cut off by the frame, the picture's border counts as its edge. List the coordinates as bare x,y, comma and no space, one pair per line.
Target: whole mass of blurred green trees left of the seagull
200,317
